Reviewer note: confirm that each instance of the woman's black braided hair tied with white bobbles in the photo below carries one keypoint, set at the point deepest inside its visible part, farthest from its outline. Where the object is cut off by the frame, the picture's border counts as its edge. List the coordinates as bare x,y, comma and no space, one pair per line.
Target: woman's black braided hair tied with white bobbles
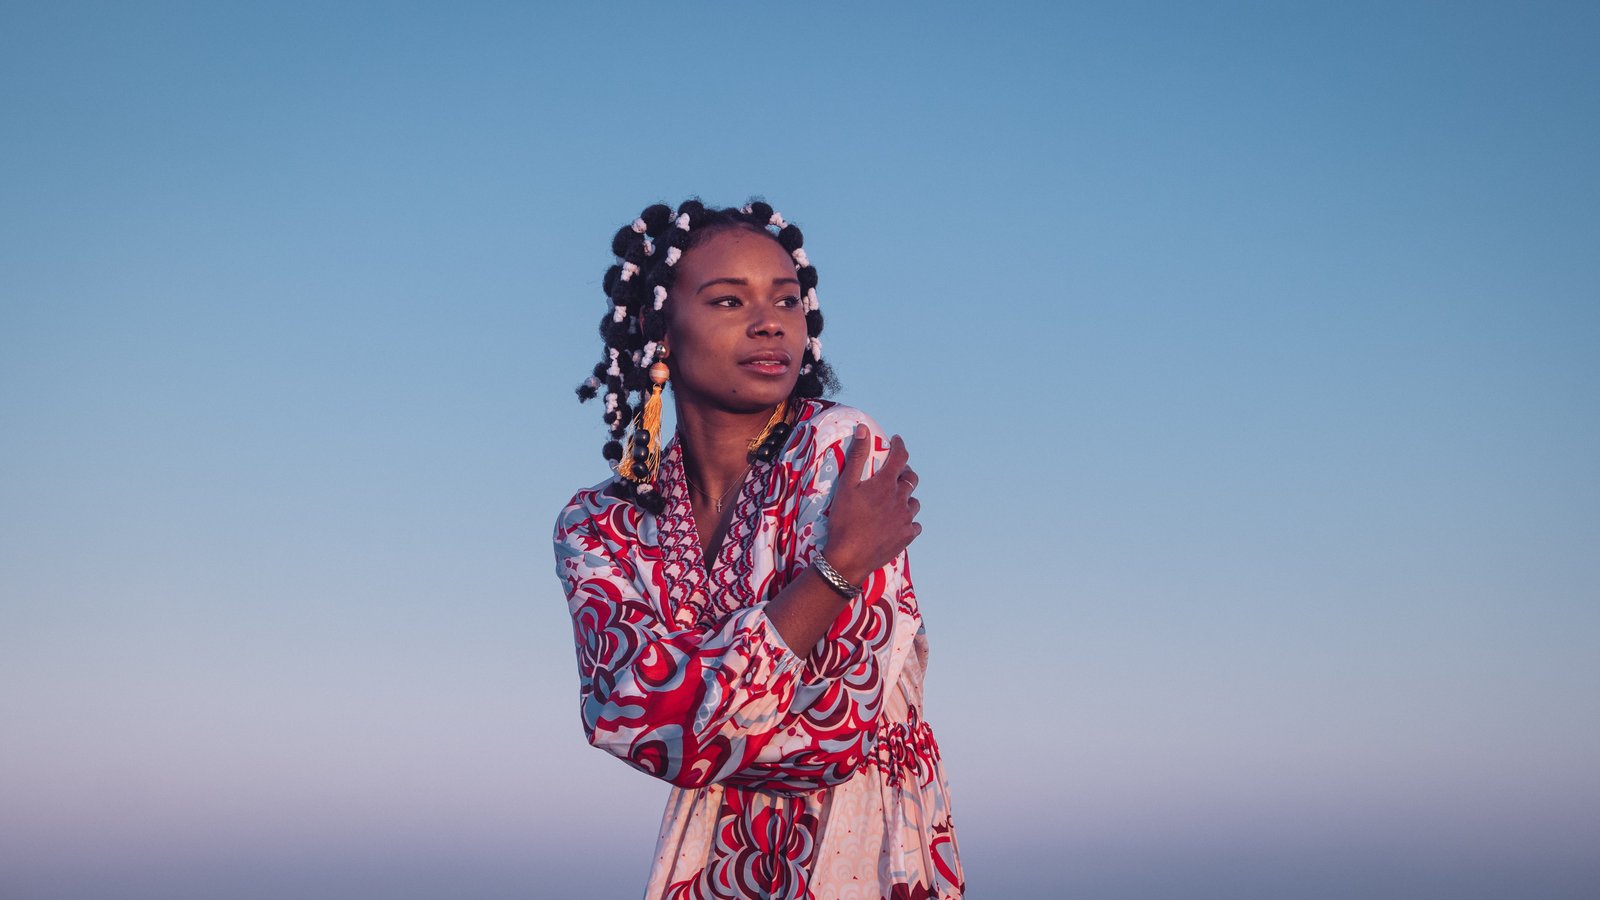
639,286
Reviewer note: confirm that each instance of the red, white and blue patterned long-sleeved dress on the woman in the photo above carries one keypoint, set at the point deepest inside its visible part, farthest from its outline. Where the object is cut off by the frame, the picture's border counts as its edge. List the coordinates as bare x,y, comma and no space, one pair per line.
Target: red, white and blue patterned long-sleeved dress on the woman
794,777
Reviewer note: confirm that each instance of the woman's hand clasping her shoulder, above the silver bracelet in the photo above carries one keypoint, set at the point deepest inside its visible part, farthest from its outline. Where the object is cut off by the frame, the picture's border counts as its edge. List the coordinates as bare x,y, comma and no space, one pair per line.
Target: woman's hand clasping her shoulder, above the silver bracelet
870,523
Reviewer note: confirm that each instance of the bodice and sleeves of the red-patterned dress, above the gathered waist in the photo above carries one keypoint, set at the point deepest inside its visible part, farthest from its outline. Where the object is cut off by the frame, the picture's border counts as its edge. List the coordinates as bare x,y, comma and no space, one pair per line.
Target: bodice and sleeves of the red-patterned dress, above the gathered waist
681,672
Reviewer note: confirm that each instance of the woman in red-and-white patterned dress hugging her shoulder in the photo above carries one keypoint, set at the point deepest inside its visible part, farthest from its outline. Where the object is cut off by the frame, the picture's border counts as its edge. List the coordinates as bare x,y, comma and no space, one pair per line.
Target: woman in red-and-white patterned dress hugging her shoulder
745,616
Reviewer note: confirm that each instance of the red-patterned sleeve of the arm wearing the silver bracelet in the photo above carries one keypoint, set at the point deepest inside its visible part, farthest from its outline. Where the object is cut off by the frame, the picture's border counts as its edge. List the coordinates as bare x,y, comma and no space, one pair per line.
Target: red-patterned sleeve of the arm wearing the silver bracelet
687,705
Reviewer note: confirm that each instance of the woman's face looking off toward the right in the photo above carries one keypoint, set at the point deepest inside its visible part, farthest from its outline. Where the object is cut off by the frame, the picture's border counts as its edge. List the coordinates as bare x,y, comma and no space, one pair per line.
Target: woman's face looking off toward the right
735,326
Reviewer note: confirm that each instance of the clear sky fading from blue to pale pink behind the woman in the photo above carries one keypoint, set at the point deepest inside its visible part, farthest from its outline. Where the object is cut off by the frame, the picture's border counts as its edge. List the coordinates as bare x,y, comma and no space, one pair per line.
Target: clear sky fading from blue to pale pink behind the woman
1249,355
